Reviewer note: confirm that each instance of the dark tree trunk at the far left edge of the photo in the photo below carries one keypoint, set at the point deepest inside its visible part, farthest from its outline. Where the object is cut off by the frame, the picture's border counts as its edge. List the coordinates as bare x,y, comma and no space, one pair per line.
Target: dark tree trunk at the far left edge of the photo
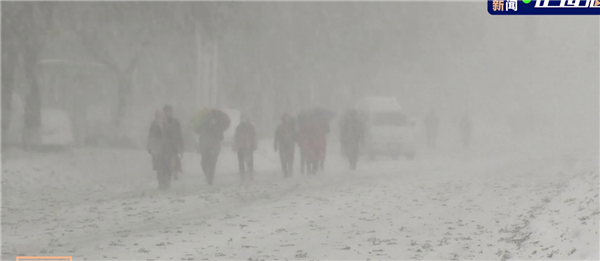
9,63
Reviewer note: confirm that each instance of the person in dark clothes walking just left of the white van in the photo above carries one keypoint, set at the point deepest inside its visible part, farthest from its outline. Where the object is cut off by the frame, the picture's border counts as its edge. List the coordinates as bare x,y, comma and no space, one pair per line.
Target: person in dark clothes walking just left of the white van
352,132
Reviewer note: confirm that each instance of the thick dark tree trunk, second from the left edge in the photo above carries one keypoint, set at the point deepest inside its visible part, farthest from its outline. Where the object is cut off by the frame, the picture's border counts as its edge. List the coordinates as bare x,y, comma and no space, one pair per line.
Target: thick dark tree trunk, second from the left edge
33,102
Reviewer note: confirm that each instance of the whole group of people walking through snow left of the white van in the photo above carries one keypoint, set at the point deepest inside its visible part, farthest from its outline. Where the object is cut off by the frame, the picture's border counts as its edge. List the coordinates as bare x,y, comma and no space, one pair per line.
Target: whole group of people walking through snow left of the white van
308,130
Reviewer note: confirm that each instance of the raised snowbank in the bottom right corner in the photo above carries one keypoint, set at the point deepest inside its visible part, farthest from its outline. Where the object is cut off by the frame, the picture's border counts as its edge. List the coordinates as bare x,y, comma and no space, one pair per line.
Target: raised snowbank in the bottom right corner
567,226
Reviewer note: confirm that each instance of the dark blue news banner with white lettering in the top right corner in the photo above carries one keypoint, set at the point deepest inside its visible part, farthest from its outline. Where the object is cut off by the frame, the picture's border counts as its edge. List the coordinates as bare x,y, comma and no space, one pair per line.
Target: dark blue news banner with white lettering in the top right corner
544,7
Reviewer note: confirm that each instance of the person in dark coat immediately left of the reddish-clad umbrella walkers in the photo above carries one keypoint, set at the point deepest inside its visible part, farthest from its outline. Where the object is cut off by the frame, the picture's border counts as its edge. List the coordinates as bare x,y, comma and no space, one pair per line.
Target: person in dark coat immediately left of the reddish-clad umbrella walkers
285,143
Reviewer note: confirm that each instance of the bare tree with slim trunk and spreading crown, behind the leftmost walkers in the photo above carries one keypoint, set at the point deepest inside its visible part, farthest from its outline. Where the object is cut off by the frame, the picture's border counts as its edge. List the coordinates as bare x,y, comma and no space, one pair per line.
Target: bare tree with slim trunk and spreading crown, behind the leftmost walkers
115,35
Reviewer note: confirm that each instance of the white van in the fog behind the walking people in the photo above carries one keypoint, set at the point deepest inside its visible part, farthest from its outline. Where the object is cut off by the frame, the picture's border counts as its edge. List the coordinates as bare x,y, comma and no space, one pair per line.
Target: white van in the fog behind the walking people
388,129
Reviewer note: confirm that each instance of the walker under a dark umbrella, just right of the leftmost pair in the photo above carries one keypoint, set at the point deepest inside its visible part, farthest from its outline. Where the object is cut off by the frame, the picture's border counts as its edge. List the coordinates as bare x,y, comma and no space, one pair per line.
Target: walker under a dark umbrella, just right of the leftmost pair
210,137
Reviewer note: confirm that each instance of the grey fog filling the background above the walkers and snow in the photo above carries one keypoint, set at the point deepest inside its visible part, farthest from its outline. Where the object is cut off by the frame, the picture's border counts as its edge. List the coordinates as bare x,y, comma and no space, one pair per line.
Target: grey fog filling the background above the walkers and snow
268,58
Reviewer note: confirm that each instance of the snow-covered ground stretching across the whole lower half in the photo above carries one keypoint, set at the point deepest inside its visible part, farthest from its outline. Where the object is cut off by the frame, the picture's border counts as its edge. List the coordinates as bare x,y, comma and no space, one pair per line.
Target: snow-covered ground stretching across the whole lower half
487,204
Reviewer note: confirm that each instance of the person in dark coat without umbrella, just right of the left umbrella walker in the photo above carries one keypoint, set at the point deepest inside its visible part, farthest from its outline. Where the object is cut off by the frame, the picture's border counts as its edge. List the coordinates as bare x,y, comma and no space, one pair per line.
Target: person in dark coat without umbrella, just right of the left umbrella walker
245,144
